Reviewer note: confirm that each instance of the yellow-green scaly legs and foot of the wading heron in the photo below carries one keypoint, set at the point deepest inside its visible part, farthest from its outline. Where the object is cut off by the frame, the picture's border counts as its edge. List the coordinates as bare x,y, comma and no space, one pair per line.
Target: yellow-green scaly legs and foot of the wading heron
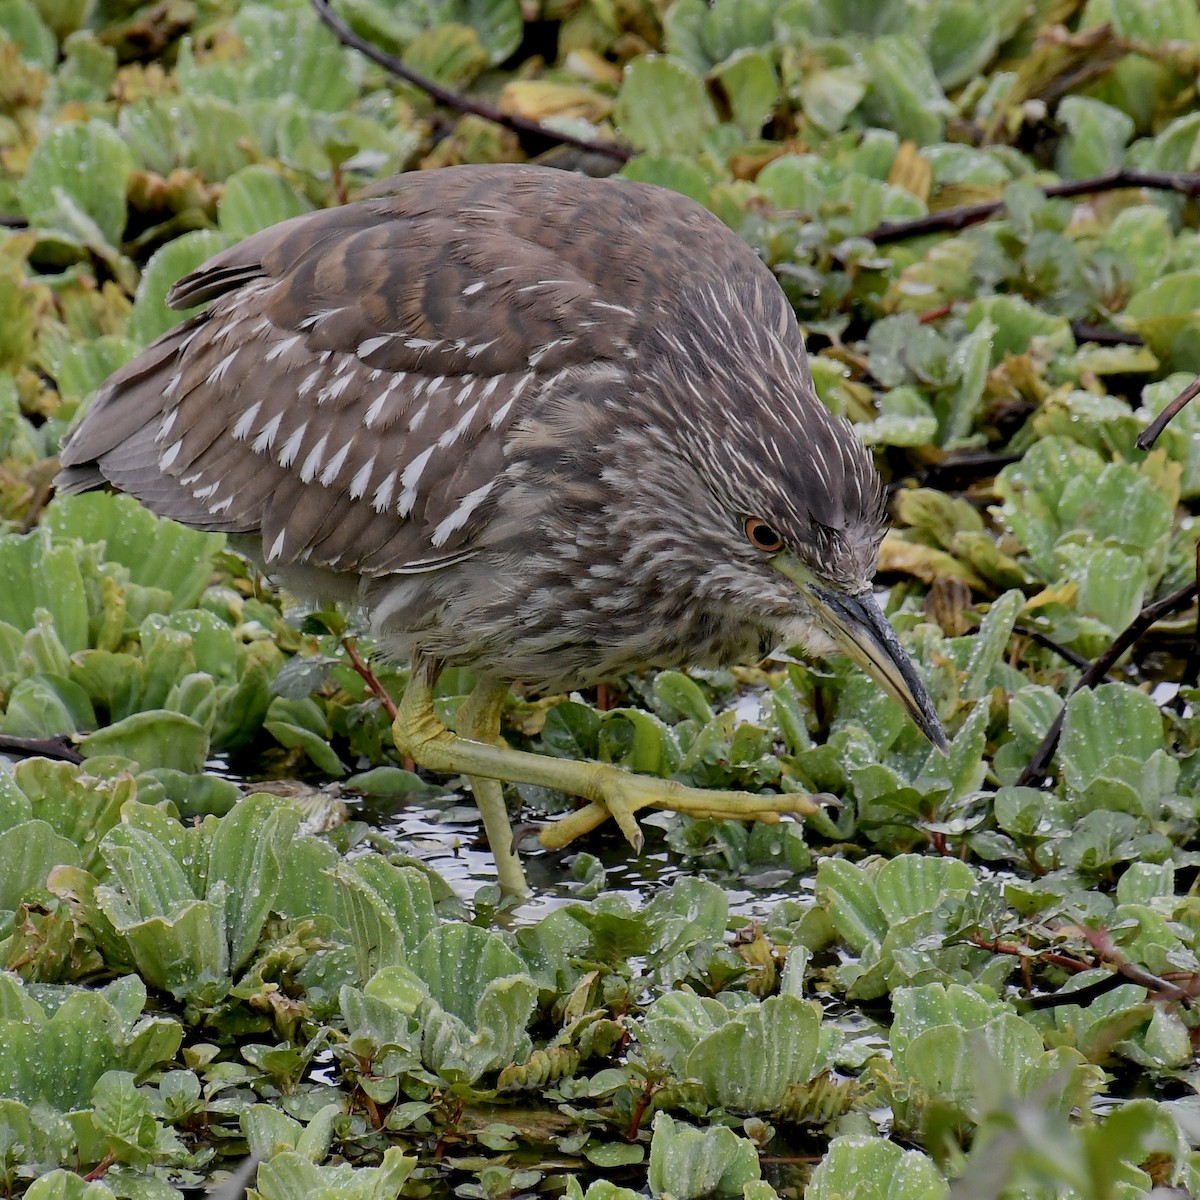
613,791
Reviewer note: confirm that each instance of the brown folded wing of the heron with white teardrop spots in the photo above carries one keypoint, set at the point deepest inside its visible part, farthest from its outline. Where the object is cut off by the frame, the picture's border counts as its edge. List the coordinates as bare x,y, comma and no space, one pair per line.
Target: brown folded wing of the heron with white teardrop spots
349,391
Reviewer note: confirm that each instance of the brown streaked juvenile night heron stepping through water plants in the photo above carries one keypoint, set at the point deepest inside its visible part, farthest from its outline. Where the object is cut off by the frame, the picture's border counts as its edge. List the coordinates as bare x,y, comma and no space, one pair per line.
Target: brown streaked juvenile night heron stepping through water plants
556,429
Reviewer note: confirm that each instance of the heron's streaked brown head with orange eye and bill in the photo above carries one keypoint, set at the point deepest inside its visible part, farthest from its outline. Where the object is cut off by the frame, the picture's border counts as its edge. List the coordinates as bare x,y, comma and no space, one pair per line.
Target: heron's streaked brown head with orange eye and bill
799,509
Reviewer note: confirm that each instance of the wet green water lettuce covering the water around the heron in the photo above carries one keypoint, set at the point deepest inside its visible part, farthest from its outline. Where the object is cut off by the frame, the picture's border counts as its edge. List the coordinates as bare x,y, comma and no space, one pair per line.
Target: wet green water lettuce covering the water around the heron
976,976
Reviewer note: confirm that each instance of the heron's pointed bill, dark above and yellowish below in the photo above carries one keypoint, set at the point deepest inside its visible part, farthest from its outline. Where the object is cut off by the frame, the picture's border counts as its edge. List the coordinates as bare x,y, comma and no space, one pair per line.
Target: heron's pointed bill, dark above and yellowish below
859,626
